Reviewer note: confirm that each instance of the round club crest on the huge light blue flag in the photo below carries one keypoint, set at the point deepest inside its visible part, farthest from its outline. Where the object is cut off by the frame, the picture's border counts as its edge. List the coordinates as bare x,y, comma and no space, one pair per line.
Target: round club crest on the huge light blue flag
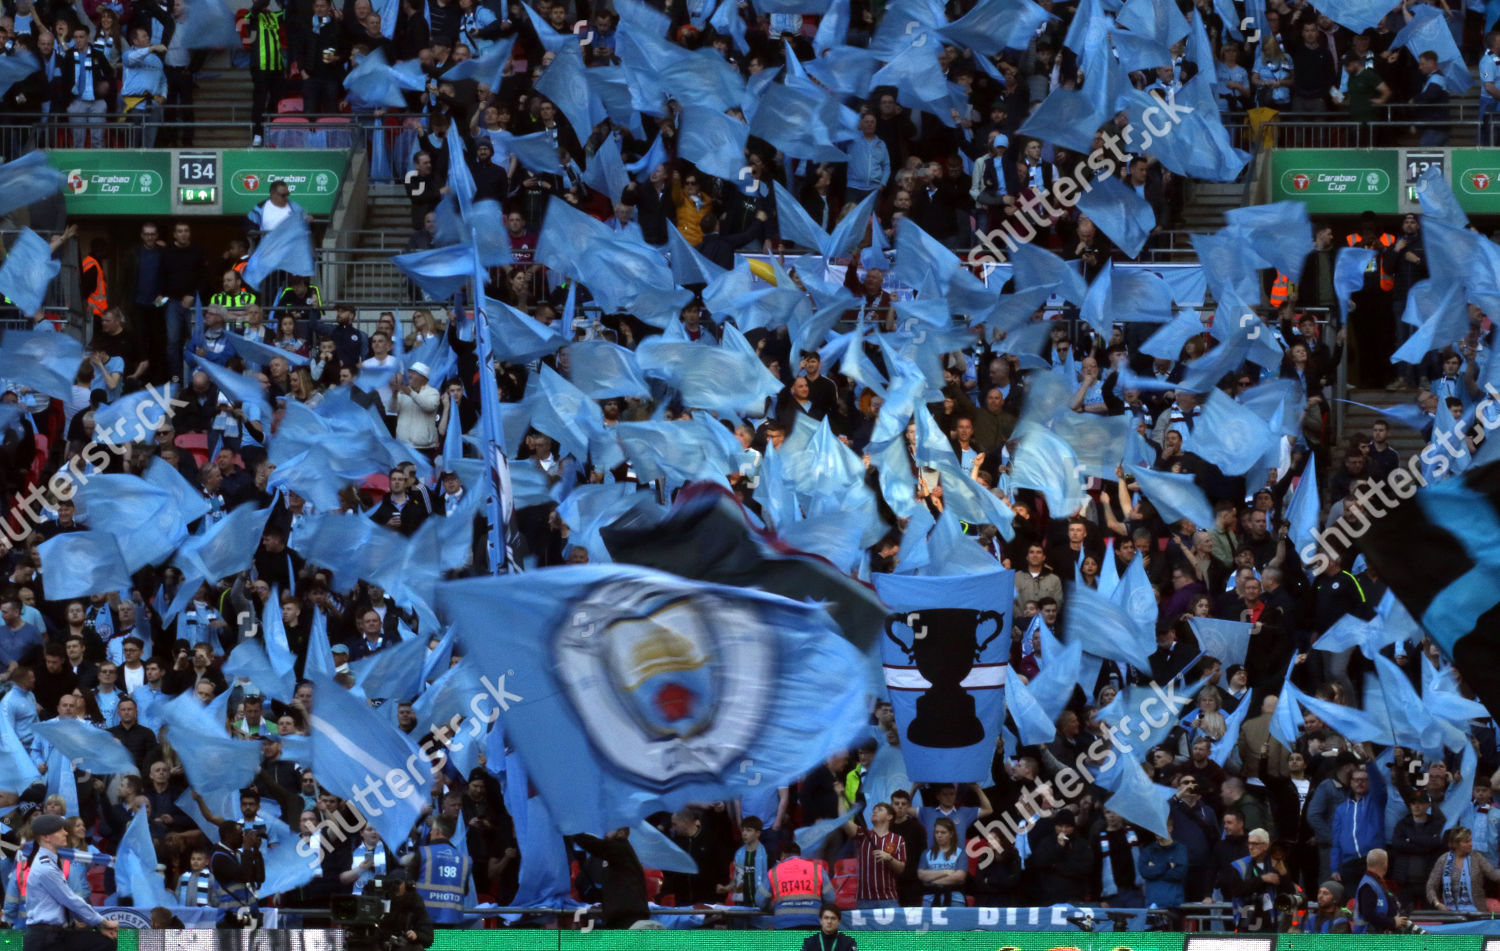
650,668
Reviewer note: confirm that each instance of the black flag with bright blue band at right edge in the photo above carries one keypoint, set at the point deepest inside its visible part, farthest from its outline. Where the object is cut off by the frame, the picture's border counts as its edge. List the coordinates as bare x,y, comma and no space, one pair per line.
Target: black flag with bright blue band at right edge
1439,550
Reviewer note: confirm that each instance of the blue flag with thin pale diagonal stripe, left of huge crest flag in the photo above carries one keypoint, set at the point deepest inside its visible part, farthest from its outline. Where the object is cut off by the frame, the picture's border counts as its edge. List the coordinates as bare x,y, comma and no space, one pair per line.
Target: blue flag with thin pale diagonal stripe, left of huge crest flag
355,749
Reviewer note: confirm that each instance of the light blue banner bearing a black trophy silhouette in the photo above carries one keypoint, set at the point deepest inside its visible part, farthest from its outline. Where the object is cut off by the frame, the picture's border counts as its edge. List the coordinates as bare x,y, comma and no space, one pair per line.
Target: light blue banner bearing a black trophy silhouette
946,649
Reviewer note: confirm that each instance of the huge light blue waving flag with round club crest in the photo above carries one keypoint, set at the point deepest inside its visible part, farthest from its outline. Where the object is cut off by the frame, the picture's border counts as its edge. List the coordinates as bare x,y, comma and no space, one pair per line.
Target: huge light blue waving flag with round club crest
629,743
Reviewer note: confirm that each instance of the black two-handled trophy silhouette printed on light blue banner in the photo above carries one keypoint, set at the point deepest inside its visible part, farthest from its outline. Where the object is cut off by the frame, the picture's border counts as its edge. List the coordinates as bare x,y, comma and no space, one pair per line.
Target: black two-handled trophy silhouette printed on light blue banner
946,646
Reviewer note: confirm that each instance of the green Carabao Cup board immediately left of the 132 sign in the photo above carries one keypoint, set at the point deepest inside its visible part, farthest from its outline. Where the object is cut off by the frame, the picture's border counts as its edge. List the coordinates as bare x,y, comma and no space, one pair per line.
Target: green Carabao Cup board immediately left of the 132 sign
1337,181
